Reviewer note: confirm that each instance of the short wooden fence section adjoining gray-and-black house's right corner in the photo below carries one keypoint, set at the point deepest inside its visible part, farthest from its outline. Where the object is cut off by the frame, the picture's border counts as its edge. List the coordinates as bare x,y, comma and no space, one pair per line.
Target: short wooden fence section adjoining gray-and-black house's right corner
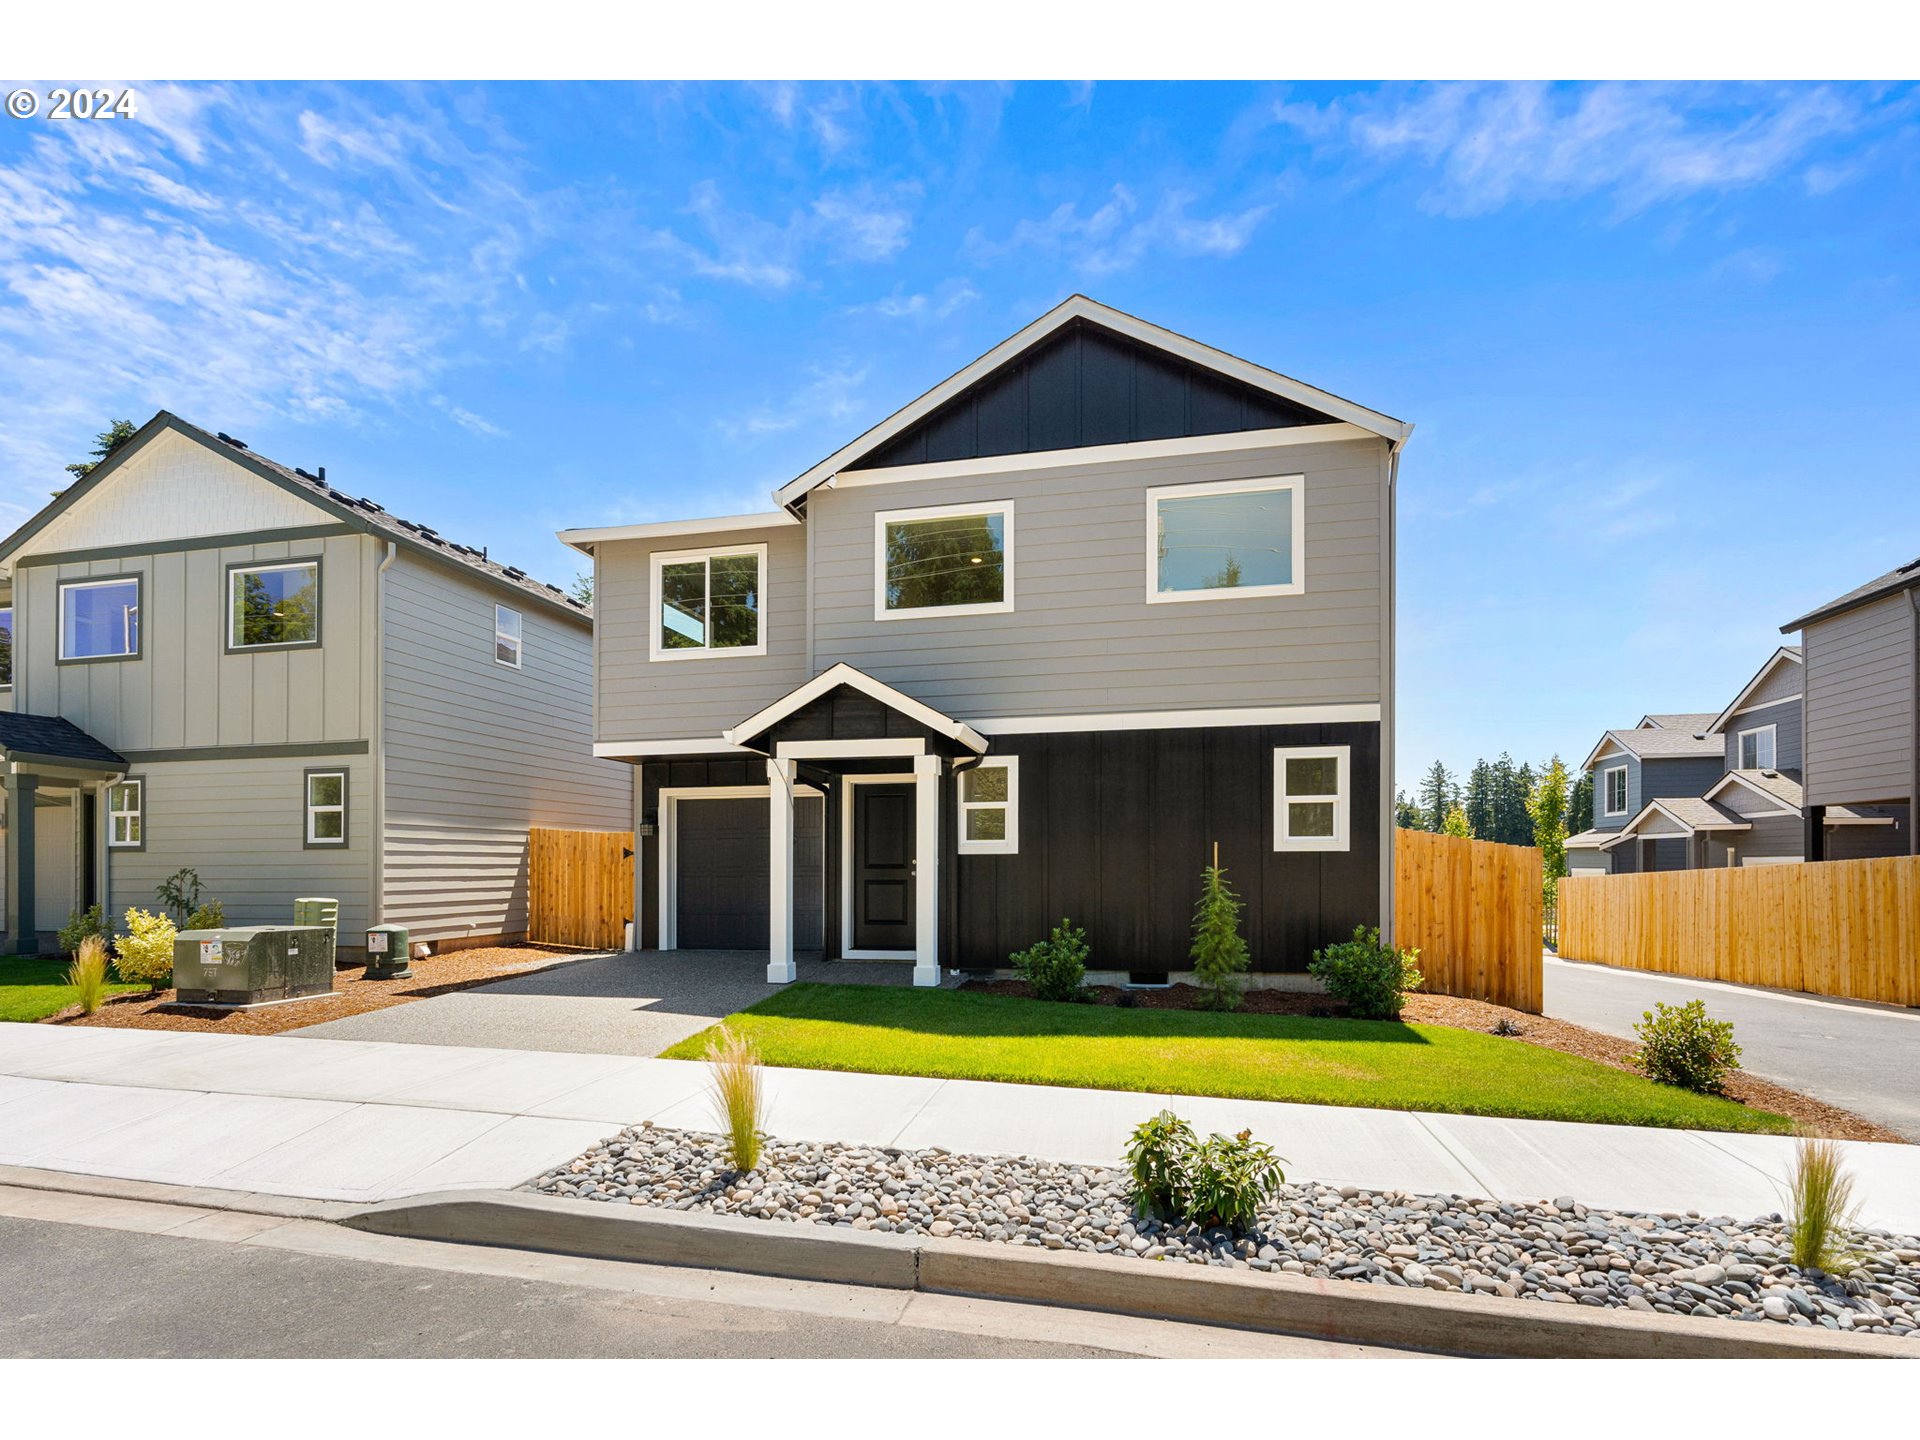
1474,913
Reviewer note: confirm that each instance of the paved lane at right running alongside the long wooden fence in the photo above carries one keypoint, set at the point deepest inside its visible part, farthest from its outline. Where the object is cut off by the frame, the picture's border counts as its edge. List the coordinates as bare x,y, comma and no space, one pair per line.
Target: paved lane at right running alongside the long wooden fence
1854,1055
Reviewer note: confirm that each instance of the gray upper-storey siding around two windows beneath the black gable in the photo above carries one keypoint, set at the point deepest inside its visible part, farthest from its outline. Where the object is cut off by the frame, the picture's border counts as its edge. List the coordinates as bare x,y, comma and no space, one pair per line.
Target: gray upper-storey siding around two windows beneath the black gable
1084,636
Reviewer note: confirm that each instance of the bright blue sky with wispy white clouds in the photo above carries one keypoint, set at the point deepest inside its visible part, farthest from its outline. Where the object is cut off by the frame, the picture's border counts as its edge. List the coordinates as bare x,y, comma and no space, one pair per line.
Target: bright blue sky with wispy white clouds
1660,341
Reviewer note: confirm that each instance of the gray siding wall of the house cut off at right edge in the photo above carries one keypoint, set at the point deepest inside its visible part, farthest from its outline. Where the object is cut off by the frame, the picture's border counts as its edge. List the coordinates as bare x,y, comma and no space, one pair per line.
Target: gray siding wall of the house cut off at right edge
1861,704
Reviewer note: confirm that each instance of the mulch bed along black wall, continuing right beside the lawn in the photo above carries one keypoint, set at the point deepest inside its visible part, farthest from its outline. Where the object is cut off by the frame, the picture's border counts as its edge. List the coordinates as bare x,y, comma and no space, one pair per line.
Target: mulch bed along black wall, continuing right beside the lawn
1548,1034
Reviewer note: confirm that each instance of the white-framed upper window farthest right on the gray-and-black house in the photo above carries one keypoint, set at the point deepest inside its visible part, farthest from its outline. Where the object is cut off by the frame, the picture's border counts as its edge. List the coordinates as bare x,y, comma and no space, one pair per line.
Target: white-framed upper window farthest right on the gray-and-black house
1226,539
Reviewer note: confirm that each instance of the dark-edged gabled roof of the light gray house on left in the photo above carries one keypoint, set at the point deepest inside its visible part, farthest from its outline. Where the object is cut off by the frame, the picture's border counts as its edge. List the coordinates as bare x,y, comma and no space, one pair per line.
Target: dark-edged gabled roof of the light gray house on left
358,512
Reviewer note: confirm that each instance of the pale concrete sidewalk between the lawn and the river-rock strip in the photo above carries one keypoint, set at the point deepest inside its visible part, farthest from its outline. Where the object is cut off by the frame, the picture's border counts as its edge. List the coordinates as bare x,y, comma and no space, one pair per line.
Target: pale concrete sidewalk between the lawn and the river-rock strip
352,1120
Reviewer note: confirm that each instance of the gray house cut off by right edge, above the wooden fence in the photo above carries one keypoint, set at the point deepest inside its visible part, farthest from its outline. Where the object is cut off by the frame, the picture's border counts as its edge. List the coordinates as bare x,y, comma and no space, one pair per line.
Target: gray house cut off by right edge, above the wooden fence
1863,738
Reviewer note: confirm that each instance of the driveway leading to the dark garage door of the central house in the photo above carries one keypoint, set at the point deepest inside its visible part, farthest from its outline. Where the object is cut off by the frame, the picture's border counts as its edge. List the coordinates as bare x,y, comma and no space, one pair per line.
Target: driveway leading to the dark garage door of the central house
610,1005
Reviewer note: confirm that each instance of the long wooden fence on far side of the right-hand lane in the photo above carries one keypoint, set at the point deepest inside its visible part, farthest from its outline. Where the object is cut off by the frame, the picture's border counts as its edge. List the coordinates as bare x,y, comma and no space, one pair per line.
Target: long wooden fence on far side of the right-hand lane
1844,928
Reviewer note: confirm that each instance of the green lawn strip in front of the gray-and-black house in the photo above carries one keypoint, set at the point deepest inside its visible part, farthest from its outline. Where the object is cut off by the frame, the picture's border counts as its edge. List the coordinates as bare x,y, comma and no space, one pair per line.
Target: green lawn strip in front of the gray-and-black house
1341,1063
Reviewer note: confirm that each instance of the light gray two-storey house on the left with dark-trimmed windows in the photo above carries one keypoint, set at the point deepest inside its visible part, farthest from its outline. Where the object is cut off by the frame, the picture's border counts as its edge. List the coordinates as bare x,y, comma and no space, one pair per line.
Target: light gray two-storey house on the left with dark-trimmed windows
226,665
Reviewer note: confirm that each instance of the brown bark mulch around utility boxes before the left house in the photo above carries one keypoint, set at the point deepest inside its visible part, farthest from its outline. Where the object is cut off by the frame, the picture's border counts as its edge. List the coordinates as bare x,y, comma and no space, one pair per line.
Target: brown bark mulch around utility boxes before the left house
354,996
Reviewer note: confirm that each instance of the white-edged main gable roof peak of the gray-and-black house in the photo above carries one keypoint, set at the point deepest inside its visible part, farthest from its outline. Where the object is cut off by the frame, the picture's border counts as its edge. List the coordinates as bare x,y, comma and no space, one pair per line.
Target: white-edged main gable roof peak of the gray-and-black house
1084,310
